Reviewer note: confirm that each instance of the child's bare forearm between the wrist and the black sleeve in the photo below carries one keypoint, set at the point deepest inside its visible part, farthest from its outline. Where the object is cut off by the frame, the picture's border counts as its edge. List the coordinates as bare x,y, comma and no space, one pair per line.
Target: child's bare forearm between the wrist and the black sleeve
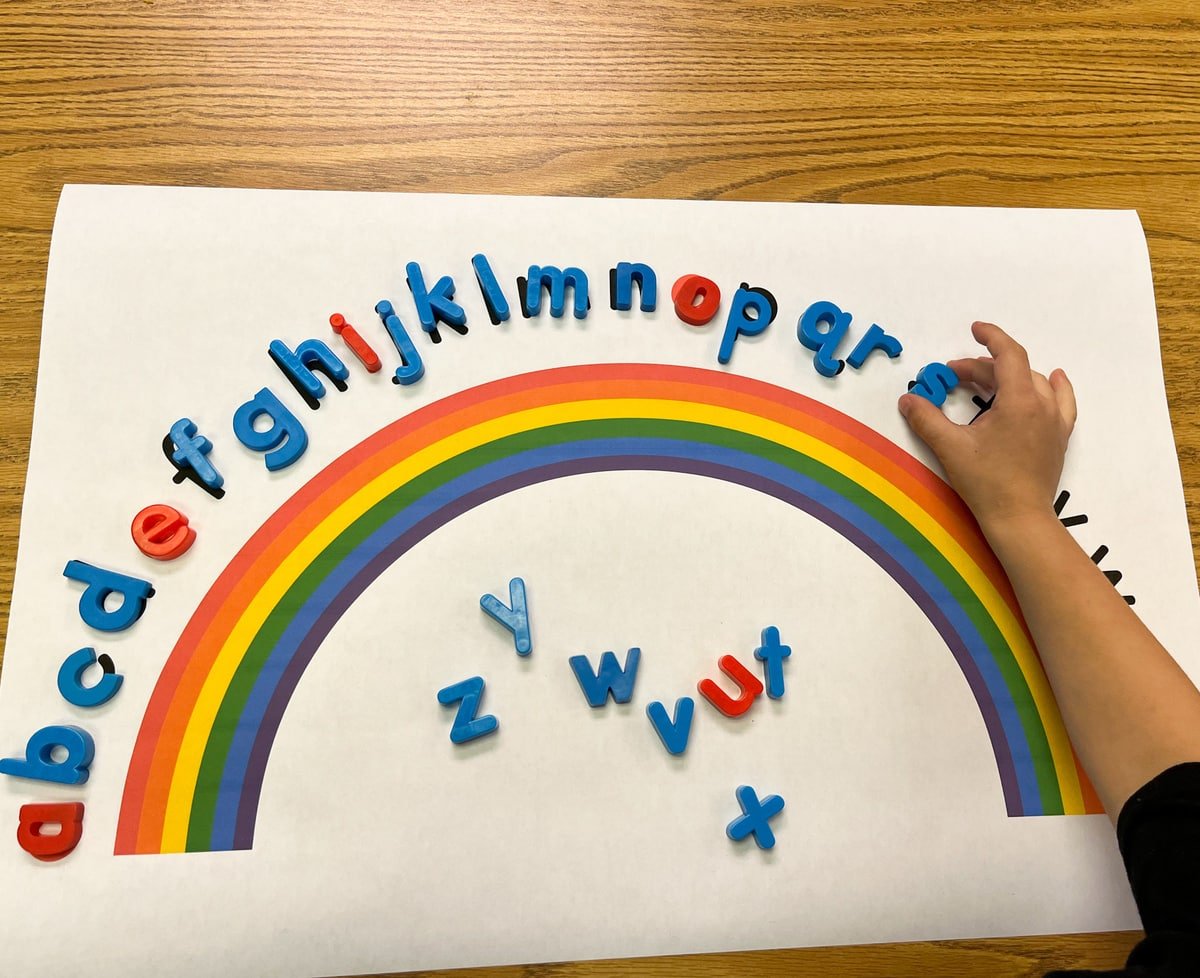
1129,707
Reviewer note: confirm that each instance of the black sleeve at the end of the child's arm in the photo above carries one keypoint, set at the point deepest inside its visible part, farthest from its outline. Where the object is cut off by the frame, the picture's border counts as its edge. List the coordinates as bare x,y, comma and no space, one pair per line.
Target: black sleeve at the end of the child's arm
1159,832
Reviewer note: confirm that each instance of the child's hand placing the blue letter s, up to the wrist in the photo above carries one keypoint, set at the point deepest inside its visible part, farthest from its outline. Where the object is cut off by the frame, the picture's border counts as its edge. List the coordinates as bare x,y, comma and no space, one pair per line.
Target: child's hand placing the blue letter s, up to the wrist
1006,466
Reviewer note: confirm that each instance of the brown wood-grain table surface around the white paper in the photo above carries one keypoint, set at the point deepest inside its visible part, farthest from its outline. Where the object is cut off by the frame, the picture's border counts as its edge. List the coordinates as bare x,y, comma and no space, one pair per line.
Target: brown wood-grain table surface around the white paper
1061,104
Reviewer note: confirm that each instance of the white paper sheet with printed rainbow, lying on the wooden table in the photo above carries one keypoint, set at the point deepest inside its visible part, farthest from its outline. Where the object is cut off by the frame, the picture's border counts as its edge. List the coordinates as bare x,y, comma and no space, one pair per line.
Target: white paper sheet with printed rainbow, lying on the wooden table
571,833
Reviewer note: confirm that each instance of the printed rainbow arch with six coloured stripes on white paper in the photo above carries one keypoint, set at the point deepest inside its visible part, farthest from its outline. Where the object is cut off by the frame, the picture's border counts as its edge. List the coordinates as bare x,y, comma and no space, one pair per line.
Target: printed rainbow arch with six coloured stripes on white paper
195,778
